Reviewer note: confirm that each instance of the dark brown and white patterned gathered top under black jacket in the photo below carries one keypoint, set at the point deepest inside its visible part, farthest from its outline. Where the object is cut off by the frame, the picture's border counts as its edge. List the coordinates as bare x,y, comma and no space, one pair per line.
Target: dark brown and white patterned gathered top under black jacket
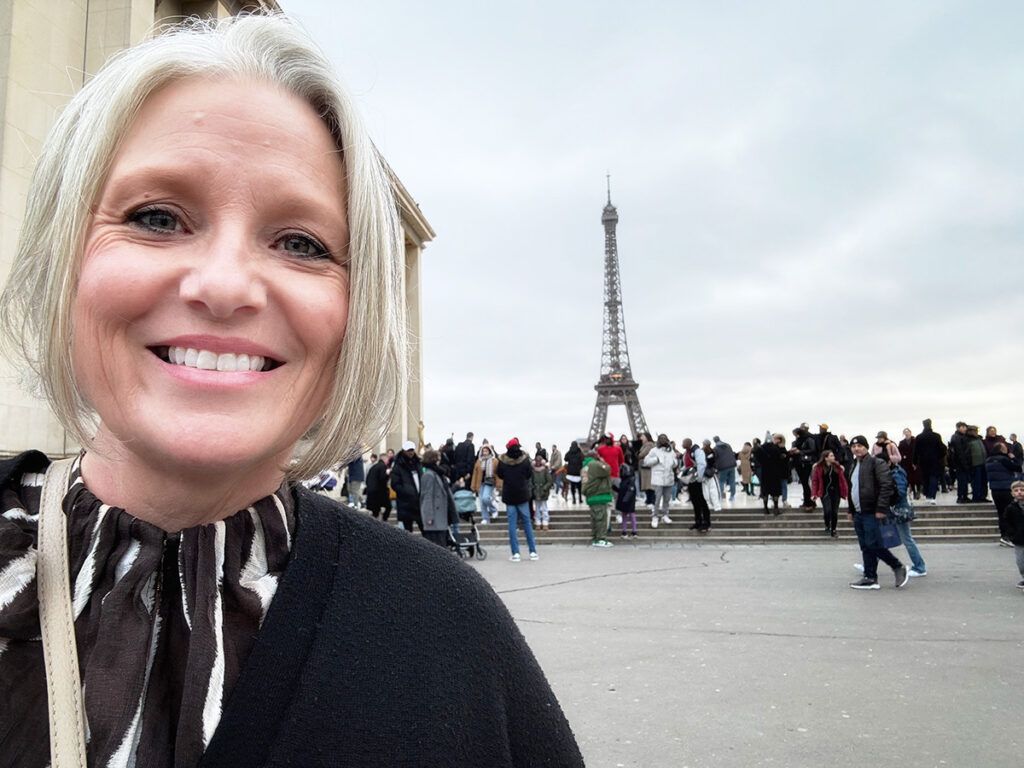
164,624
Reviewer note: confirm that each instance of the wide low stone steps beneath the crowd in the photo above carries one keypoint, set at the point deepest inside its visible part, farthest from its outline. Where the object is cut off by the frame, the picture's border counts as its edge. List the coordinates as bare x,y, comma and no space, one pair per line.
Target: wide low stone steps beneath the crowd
744,522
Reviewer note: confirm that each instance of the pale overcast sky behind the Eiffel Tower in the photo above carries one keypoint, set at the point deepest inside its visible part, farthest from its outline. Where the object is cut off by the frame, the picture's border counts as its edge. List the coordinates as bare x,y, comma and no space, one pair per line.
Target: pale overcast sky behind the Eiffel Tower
821,206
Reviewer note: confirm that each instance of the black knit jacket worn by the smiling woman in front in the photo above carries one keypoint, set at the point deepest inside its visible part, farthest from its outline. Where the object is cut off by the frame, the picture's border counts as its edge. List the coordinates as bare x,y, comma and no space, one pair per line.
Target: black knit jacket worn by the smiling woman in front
382,650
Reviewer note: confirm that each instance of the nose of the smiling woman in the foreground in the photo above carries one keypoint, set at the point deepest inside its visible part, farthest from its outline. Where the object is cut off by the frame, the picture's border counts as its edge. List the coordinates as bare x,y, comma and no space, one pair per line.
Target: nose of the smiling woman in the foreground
225,278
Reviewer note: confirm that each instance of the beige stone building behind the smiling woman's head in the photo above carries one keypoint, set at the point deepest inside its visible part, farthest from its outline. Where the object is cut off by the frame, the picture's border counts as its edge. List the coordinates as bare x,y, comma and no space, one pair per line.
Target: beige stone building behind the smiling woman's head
48,49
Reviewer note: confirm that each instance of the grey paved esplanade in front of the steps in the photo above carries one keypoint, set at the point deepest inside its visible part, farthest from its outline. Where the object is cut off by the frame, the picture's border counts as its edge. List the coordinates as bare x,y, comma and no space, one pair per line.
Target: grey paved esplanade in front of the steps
728,656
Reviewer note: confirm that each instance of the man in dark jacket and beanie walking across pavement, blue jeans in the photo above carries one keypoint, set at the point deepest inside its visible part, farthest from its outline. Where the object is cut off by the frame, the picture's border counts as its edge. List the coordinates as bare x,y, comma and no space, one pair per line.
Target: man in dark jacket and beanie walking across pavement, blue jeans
871,494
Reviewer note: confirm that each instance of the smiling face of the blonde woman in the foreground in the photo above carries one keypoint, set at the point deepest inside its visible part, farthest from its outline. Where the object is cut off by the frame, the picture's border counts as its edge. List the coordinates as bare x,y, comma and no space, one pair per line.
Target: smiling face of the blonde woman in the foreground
212,302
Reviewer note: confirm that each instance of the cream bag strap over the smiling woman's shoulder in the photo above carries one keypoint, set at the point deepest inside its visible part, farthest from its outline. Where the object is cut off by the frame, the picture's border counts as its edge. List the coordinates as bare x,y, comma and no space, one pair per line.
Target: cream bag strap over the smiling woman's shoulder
64,688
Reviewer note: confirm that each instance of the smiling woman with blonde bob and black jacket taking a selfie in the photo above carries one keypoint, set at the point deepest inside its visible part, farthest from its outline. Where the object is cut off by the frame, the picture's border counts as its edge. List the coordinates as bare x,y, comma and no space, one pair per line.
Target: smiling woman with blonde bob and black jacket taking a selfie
208,275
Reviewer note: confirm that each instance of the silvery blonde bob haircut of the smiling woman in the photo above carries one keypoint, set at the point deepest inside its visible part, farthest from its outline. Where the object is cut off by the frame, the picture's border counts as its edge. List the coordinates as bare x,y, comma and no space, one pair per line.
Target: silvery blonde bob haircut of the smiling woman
36,306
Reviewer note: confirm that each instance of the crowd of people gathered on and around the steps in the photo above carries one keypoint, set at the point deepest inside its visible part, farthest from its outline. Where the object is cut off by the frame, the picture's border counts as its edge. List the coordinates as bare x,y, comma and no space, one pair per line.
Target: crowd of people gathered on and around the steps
620,477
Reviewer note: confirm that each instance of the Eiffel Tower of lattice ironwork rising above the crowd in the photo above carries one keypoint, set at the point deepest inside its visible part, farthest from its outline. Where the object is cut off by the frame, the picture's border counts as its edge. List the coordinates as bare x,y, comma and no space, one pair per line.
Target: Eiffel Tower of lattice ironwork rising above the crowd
616,386
